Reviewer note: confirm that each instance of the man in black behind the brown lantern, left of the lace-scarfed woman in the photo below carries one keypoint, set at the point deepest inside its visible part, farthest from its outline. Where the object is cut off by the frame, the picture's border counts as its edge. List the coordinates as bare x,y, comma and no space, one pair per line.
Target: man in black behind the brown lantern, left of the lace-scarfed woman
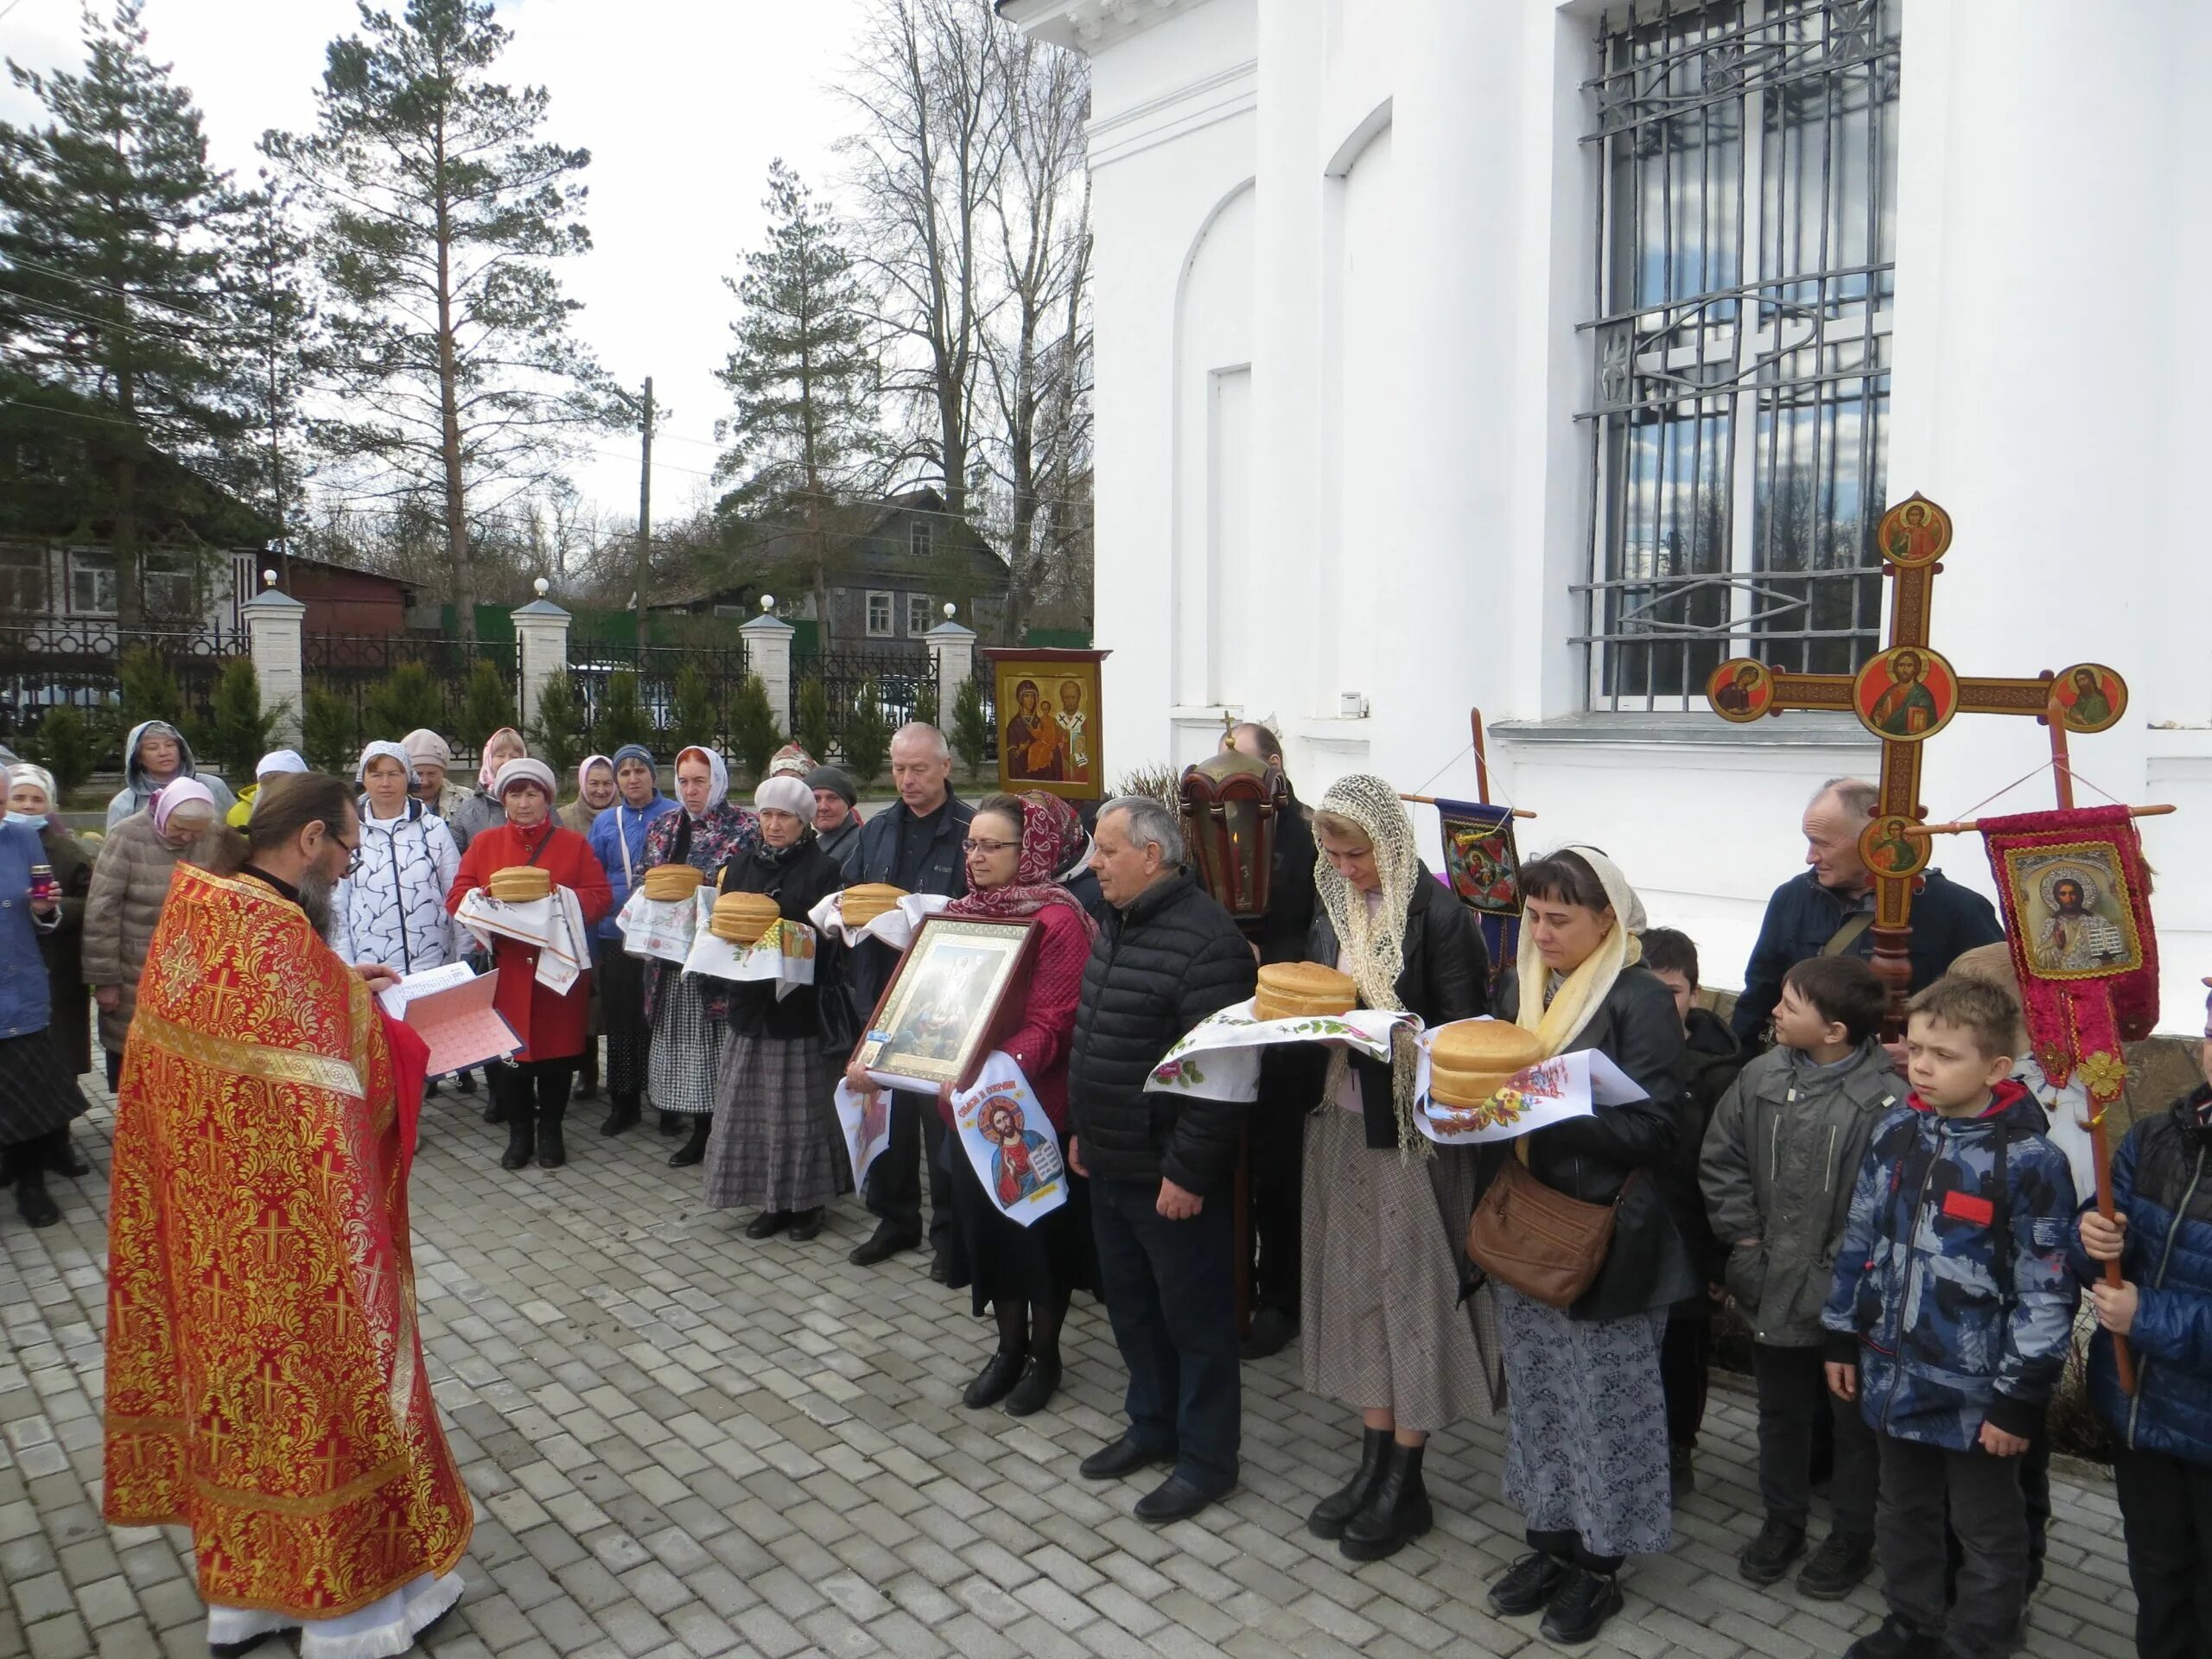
1288,1081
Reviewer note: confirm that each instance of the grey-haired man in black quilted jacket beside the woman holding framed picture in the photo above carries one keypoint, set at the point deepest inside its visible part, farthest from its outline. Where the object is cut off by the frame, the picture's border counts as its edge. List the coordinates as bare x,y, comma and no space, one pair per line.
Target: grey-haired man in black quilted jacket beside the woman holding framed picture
1160,1167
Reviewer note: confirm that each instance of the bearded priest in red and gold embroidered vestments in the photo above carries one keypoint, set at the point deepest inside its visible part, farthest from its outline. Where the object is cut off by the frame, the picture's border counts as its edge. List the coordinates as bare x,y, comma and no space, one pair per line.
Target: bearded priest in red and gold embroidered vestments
267,1379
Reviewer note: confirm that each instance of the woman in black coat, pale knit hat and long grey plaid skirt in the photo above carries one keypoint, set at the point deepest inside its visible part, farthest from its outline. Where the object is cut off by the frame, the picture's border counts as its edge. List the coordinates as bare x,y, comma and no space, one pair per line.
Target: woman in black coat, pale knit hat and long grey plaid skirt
775,1140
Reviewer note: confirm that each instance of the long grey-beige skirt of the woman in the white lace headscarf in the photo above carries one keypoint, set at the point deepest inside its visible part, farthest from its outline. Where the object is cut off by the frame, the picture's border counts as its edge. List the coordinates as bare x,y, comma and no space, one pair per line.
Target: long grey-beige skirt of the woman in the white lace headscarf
1381,1319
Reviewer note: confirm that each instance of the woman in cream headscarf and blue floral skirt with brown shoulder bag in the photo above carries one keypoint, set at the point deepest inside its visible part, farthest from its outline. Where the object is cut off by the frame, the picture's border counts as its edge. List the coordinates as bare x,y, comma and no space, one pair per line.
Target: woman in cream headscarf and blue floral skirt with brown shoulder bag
1587,1450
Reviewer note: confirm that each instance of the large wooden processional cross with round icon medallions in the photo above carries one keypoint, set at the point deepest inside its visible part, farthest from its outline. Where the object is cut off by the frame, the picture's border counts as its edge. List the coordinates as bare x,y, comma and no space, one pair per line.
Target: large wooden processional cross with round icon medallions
1906,696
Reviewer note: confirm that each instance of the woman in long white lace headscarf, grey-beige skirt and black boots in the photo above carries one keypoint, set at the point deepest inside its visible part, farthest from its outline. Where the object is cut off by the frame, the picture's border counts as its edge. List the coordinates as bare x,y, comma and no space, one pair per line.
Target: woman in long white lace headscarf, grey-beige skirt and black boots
1386,1211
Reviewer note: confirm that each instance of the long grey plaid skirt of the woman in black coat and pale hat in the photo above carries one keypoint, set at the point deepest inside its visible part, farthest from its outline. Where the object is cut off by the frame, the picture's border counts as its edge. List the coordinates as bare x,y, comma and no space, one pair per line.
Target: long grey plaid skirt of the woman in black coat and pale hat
775,1142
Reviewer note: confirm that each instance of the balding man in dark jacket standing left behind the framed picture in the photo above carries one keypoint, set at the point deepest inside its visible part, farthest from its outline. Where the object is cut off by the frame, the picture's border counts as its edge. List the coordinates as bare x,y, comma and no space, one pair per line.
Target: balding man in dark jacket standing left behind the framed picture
912,846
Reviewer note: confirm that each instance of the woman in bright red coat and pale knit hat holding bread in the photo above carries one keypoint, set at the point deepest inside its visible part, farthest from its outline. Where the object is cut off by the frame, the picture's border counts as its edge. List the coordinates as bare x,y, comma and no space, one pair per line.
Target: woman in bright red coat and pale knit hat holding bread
552,1027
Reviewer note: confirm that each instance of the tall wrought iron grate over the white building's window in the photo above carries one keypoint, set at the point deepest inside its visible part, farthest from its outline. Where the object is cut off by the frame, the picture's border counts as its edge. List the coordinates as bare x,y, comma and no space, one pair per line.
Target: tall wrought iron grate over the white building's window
1740,340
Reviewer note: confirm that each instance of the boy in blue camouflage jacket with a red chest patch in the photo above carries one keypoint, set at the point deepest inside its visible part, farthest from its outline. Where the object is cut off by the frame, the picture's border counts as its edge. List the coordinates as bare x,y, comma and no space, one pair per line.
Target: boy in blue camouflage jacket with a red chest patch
1950,1322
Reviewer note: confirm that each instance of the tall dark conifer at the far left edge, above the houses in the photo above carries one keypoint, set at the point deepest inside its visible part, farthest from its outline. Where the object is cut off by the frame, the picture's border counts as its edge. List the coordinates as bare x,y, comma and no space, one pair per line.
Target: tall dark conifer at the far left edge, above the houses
112,309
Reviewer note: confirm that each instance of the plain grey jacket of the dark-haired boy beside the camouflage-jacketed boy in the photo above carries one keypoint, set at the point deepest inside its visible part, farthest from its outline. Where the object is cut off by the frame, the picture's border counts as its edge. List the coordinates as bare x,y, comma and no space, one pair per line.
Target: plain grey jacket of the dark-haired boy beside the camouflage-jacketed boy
1780,1162
